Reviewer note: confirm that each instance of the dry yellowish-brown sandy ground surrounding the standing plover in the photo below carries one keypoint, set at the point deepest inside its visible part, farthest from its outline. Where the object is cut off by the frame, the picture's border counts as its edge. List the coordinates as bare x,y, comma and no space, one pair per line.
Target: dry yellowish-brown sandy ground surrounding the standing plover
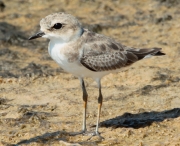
41,105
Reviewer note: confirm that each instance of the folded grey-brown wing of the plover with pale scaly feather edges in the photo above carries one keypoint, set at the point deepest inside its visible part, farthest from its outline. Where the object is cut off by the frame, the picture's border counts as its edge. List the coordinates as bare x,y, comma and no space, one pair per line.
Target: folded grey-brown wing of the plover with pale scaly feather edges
101,53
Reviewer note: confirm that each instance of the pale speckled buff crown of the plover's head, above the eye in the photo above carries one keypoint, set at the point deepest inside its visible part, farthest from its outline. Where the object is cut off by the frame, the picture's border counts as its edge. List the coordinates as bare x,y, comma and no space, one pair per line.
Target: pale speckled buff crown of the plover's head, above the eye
60,17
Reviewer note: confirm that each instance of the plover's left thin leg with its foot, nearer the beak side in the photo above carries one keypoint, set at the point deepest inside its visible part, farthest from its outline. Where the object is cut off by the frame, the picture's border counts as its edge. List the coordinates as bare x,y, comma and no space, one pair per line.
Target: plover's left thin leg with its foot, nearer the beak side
85,96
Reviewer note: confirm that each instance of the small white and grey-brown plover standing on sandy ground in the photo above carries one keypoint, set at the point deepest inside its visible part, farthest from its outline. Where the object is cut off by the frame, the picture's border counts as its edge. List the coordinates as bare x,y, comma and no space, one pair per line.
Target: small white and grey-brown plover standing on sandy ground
84,53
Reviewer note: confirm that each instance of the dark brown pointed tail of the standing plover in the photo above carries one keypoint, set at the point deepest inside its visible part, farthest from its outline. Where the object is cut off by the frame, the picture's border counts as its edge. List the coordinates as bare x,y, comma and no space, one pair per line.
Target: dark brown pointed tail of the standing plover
146,53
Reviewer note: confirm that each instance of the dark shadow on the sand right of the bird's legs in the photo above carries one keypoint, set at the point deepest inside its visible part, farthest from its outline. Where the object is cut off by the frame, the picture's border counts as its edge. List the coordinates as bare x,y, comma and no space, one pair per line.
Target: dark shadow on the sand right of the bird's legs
140,120
